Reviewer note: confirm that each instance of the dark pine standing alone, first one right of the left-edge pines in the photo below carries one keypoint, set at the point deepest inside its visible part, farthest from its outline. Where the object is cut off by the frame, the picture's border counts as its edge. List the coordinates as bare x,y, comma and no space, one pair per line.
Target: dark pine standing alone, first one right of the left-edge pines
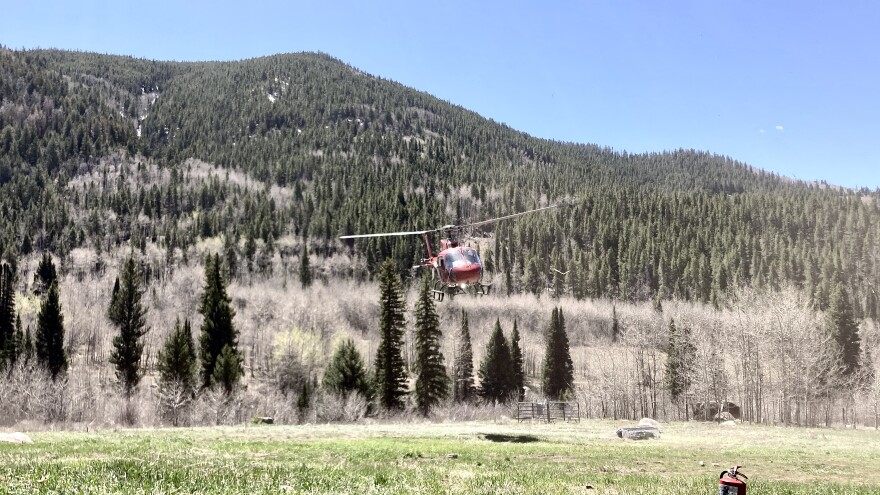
129,316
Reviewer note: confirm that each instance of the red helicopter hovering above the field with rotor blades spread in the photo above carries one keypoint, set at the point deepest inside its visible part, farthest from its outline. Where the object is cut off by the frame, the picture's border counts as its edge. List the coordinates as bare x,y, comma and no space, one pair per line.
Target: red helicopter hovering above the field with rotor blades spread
455,269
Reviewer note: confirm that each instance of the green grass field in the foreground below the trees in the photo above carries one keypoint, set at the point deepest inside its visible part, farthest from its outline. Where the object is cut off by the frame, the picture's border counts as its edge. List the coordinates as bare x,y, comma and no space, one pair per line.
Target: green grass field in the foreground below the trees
414,458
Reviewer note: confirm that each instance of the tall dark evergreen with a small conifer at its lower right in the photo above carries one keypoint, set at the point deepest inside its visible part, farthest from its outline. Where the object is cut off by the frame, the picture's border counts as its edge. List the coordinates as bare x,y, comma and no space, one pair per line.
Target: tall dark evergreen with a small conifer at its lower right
218,330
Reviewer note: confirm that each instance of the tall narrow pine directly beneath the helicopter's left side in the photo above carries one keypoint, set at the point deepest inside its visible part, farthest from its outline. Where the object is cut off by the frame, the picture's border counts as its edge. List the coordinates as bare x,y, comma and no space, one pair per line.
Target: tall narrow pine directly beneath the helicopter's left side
432,382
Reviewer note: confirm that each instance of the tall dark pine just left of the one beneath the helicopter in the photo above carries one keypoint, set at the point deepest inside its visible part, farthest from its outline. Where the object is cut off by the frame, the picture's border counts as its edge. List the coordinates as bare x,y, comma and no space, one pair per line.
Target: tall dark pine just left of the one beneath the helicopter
390,370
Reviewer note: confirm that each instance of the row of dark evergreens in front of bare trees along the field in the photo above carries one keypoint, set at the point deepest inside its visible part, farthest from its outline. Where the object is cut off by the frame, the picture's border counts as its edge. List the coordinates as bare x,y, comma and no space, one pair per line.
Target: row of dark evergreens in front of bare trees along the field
186,366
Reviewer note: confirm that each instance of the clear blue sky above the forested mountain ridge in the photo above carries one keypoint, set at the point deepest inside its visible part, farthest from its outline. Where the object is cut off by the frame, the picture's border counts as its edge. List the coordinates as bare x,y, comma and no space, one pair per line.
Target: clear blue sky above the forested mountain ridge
791,87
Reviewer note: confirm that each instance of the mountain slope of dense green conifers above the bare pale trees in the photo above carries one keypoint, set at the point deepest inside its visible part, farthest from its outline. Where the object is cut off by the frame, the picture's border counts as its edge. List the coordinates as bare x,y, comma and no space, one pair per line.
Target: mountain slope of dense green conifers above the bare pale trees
99,150
